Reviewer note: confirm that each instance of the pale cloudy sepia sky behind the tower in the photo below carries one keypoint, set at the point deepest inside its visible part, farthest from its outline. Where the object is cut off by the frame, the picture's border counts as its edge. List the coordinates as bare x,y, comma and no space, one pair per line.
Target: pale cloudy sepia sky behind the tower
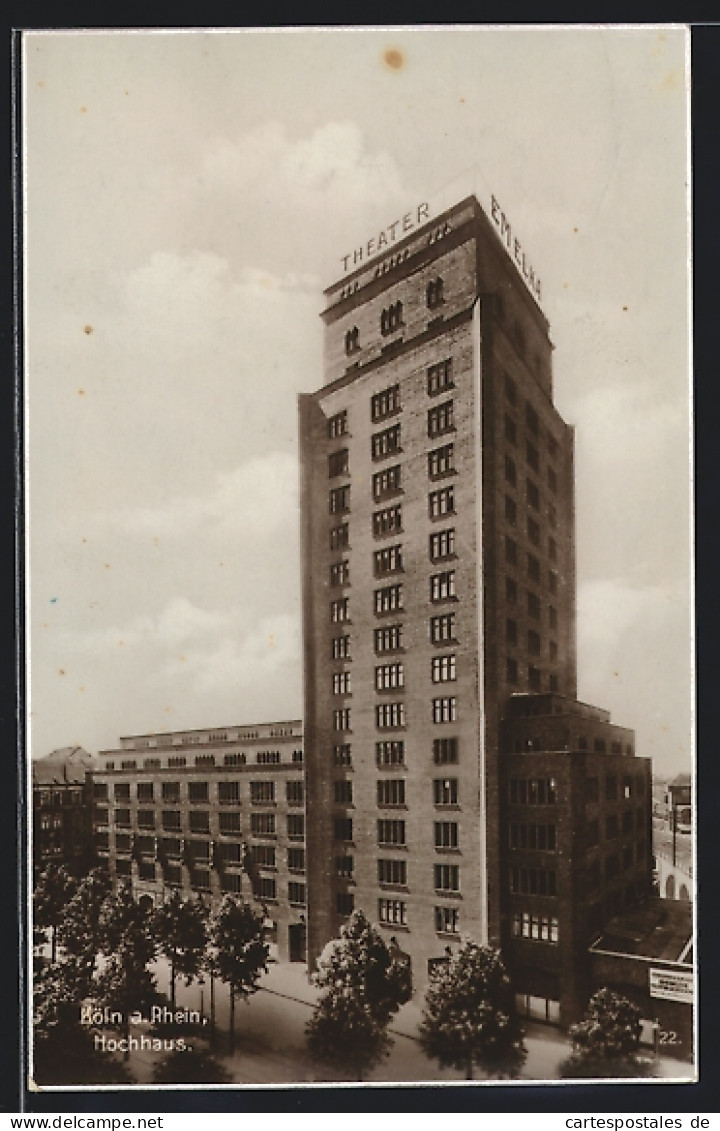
188,197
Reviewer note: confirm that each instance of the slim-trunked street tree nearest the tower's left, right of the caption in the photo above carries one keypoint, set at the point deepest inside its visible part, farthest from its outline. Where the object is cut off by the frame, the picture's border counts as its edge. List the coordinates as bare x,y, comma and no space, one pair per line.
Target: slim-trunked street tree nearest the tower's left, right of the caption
241,952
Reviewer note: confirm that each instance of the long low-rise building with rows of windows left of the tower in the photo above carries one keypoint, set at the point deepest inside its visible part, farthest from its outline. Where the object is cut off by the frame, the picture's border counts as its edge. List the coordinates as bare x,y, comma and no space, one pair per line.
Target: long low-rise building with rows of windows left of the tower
210,813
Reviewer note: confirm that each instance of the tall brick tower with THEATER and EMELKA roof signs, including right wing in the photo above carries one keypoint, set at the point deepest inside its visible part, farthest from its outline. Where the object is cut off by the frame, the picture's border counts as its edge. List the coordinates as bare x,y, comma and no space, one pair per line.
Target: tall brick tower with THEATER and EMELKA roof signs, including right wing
439,597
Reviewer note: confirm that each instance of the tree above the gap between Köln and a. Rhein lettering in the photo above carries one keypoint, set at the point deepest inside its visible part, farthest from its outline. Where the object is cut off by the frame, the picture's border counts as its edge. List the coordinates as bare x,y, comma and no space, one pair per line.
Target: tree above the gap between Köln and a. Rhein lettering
126,985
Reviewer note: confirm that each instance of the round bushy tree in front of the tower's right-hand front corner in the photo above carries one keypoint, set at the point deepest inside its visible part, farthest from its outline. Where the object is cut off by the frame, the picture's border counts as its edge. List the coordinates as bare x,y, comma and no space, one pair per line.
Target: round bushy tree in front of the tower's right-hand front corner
470,1016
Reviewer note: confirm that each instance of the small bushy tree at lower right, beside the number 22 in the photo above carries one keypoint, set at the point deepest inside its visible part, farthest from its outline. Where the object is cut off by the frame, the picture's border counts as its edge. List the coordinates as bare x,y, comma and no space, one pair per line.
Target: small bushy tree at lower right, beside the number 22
608,1041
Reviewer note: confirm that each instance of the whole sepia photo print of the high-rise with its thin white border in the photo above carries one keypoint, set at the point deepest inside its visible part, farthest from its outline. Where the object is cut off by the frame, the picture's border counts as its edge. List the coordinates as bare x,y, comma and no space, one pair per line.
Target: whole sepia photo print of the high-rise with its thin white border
358,499
